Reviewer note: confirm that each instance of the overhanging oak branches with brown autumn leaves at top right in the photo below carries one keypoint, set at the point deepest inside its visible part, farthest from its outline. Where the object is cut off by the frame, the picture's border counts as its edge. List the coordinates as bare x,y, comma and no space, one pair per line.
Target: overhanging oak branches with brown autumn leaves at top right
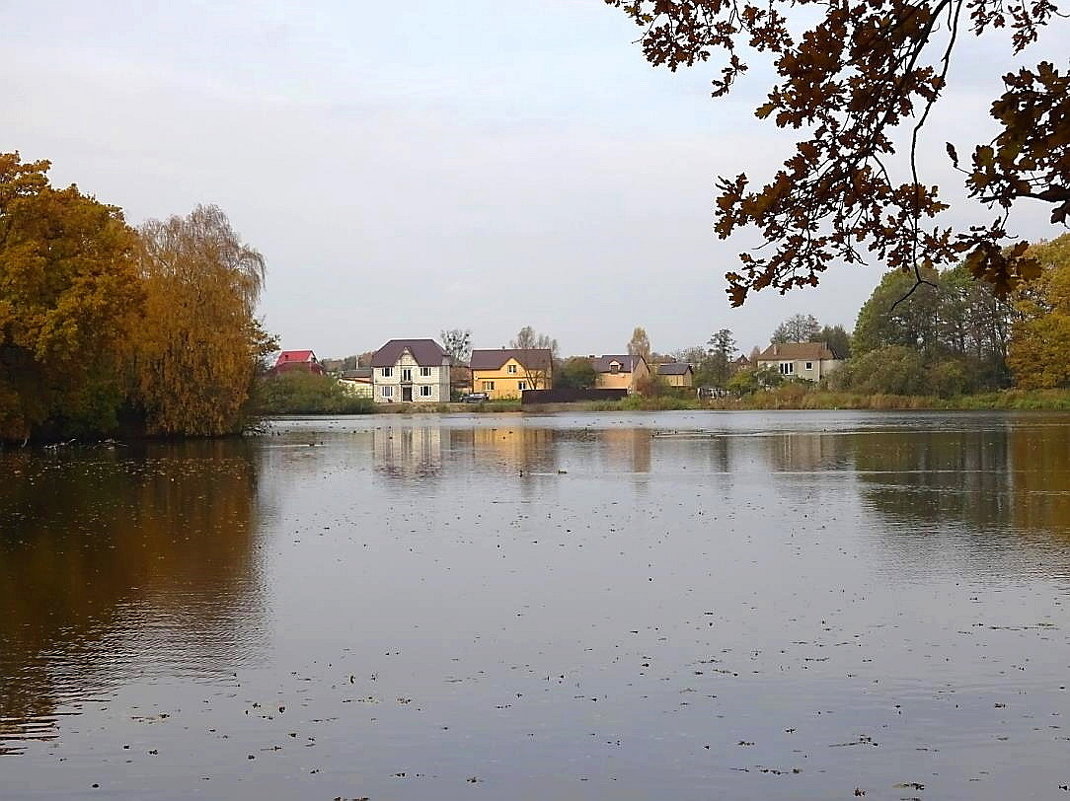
851,75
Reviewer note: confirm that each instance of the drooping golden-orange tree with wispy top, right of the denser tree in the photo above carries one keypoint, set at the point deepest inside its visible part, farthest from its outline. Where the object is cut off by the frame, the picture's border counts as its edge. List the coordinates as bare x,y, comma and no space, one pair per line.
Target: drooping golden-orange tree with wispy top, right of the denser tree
198,351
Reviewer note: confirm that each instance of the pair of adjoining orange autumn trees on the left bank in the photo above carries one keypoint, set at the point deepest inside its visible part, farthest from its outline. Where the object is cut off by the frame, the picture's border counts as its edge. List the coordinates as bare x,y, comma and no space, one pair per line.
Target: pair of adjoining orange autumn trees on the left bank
106,328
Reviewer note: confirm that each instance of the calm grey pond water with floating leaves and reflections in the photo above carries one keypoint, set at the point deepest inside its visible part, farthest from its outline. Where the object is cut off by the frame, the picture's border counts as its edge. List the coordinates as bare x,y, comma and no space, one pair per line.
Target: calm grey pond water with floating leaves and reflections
782,606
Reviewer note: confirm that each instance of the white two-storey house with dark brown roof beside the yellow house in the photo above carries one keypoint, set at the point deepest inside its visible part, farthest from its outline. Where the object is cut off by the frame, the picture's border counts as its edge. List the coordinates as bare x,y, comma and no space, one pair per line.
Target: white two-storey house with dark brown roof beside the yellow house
411,372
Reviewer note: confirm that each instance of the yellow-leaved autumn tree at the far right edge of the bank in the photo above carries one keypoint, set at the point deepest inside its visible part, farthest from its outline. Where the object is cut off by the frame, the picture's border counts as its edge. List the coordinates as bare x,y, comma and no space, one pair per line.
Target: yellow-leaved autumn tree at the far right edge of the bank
1042,337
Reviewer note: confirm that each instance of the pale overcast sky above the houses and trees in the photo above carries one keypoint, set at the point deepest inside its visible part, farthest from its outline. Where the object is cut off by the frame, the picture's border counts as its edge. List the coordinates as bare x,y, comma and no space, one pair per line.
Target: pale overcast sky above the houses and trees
411,167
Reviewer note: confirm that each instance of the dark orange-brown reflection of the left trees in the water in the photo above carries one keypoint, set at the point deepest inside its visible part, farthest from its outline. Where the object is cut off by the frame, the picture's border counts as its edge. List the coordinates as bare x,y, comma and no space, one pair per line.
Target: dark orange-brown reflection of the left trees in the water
101,549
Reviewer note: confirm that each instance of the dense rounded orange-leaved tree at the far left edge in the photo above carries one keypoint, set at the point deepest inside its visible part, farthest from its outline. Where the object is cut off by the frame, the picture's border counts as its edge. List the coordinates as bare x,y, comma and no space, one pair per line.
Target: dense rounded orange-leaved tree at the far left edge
69,297
